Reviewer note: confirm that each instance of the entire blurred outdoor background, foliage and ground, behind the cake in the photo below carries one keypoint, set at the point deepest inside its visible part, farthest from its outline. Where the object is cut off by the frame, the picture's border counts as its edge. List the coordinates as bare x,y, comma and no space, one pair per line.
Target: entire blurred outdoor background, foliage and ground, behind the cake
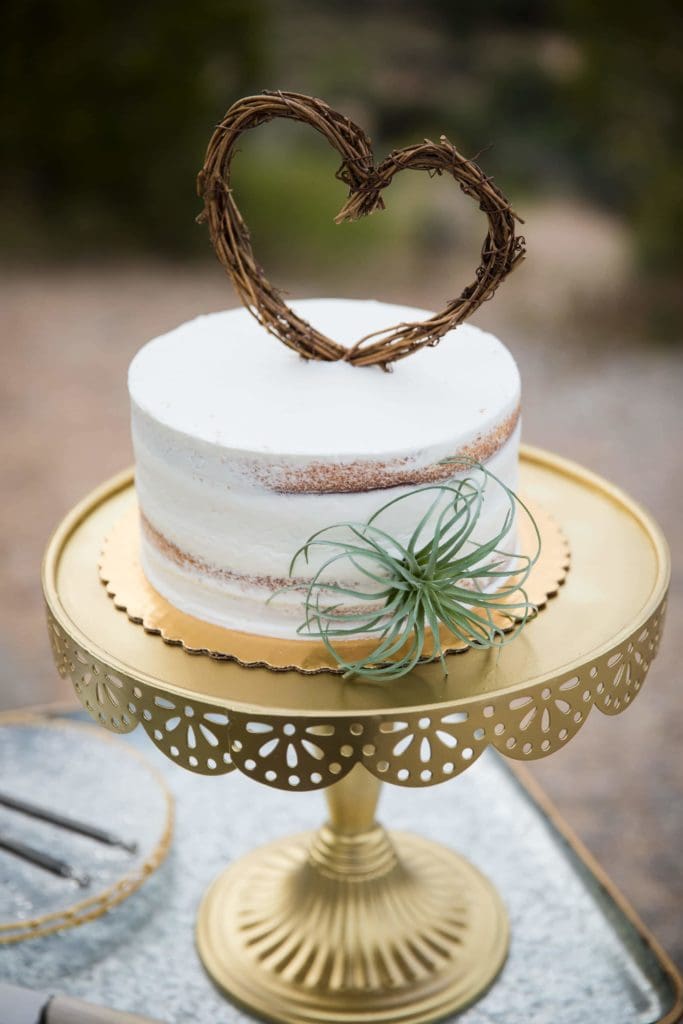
575,109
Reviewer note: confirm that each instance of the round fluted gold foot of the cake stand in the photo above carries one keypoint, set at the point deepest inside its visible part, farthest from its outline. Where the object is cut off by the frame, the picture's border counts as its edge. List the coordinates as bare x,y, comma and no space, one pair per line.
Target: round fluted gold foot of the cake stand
334,927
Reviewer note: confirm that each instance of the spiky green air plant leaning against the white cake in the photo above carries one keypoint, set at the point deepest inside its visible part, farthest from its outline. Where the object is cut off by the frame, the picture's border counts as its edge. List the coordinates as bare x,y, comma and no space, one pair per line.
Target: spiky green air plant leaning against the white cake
440,577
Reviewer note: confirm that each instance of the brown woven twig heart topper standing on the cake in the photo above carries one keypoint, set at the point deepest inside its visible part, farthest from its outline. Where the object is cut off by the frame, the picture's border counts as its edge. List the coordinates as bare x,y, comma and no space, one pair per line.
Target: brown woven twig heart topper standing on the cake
501,252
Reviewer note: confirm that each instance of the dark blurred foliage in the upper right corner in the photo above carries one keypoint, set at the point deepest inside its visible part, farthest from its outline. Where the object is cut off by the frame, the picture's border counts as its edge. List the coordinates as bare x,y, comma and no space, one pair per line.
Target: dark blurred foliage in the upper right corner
627,104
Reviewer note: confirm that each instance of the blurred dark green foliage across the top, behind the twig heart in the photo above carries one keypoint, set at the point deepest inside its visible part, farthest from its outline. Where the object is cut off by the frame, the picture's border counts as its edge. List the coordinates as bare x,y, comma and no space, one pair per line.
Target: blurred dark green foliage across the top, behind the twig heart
110,109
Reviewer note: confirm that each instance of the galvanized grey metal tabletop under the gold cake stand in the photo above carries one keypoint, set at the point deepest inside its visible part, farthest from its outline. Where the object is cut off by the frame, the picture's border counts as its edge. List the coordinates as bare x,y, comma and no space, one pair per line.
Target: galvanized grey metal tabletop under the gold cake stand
578,953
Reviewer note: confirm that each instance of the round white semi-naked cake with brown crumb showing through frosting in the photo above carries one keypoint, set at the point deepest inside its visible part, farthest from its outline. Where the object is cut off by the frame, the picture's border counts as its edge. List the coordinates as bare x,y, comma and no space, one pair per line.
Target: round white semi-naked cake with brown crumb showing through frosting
244,450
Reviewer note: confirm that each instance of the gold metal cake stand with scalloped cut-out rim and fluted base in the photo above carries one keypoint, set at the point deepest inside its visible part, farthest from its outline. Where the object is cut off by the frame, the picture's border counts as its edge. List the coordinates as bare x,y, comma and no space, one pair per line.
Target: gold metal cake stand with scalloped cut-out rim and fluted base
353,924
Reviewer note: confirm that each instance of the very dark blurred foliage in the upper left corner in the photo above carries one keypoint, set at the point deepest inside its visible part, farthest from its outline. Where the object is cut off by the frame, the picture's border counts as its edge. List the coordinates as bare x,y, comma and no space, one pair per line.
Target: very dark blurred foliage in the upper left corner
108,115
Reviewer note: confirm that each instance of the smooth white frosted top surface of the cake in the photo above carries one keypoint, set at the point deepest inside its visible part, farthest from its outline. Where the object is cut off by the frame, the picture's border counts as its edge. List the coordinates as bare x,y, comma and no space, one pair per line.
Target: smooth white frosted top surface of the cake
225,380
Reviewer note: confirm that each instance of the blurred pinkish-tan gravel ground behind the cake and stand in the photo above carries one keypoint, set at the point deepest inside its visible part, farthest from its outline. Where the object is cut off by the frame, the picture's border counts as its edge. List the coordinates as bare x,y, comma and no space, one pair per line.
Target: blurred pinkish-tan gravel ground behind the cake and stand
69,334
